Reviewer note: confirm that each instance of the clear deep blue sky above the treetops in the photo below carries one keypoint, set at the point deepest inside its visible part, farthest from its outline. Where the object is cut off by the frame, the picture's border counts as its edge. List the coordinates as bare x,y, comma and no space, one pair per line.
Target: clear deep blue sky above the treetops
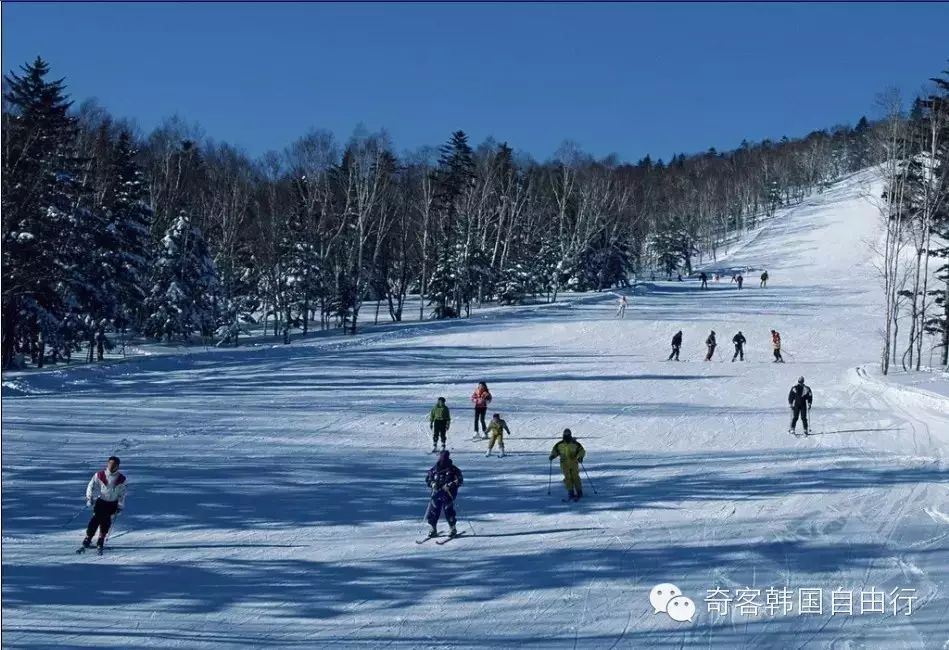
631,79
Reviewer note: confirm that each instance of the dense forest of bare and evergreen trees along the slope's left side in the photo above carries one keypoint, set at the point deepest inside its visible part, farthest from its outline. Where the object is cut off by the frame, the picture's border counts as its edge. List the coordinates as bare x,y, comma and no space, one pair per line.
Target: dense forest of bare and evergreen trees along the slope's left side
171,235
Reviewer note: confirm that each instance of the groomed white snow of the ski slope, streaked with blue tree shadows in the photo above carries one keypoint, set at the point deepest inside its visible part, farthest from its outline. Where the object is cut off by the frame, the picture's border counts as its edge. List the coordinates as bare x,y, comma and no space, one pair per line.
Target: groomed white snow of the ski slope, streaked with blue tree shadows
276,494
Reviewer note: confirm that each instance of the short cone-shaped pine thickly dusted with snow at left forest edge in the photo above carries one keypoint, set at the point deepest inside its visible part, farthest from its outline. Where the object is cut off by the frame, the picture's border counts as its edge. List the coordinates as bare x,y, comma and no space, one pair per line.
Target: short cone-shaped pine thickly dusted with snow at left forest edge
183,294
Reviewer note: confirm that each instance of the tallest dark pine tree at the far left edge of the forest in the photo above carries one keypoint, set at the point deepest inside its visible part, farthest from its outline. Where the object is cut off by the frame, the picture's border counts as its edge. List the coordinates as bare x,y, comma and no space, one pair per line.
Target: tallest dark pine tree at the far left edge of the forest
44,230
